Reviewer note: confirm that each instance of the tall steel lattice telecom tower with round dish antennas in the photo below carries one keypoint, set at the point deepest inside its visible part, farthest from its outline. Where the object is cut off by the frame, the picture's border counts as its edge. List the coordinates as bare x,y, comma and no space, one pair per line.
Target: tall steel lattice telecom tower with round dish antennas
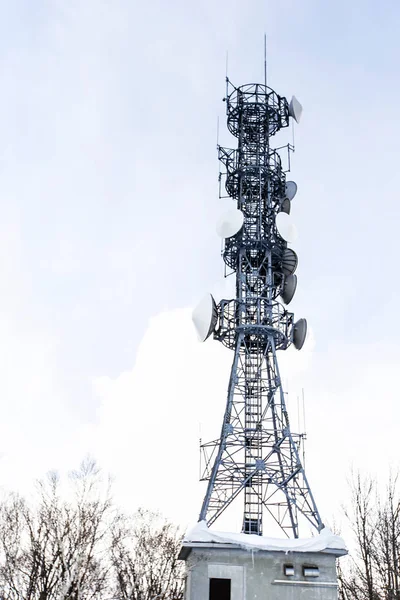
257,455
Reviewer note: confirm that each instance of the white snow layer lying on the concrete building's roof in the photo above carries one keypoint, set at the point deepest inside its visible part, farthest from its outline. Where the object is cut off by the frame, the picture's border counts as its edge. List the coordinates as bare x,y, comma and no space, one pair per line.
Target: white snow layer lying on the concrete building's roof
325,540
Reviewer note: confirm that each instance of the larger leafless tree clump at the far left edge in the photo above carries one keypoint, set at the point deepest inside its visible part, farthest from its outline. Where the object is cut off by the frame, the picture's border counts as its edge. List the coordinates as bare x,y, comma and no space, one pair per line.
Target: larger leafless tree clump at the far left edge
56,549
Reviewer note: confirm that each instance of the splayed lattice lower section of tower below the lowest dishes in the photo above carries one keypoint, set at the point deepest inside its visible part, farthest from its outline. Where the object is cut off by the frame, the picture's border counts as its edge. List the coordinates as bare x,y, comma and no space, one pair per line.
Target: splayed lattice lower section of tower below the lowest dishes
257,453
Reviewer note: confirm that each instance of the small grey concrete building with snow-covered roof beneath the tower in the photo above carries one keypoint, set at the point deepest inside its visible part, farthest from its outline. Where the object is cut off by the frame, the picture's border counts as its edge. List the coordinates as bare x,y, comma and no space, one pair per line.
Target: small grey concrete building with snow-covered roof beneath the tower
227,570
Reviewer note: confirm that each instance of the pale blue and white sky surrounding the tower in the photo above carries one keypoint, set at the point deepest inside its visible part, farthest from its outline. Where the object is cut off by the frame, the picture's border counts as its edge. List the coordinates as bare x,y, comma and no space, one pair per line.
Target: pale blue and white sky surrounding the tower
109,198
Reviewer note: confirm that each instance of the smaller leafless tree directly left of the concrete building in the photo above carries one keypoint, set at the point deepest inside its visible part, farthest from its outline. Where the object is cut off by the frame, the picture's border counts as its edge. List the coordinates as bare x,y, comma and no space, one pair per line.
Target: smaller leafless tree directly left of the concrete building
145,558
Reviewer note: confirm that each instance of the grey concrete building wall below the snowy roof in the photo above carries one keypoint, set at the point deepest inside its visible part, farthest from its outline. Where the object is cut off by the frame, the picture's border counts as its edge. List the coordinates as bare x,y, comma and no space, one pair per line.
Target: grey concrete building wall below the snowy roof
260,575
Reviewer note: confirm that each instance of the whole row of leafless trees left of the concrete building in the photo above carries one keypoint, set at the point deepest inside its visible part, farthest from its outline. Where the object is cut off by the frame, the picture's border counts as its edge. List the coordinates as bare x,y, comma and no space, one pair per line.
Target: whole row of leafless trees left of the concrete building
74,545
